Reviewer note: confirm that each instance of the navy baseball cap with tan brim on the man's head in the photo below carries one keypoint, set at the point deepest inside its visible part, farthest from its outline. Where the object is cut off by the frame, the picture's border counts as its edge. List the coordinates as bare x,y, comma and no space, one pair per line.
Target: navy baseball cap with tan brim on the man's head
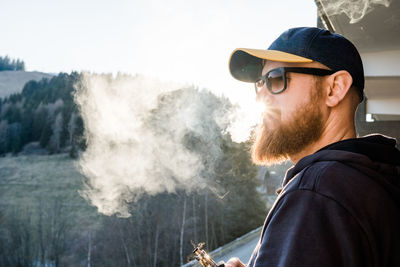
301,45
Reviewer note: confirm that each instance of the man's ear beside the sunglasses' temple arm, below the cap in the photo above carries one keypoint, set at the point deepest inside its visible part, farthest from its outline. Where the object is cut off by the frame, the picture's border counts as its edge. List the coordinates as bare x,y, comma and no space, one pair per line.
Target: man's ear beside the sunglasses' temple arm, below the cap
339,84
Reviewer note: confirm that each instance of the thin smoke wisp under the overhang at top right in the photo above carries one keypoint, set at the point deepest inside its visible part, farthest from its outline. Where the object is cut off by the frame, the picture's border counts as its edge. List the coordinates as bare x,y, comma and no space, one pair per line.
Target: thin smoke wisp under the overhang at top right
355,10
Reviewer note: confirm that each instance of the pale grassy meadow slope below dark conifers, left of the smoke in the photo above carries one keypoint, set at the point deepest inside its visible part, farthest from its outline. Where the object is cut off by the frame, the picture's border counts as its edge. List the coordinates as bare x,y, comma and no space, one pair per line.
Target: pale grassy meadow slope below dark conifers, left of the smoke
27,181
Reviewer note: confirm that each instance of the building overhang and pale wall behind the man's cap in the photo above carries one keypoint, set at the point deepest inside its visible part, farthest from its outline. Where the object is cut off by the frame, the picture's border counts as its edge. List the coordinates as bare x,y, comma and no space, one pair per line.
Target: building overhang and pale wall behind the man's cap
376,34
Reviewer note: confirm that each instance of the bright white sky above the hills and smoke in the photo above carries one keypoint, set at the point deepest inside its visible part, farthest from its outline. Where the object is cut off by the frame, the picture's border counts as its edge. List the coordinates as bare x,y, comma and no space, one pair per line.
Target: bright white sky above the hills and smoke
172,40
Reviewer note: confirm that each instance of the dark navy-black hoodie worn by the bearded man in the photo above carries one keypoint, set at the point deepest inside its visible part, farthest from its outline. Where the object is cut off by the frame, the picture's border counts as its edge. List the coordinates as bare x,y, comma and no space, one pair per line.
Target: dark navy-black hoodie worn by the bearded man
338,207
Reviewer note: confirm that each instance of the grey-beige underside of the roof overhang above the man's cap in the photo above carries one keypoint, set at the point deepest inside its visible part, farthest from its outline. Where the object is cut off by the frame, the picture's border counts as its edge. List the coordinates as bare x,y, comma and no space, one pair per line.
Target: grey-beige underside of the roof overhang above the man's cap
379,28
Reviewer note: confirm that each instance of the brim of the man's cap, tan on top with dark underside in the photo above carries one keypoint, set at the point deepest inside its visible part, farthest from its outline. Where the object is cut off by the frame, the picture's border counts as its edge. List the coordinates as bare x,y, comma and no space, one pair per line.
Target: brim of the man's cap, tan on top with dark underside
246,64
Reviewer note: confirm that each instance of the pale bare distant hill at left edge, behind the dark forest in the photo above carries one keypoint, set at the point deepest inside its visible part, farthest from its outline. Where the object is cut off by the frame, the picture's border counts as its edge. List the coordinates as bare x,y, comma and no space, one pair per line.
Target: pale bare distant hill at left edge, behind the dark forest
13,81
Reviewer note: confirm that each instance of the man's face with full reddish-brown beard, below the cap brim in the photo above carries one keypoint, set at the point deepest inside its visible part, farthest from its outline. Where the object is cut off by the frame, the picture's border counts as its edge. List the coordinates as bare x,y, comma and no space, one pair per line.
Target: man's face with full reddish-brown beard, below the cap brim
292,119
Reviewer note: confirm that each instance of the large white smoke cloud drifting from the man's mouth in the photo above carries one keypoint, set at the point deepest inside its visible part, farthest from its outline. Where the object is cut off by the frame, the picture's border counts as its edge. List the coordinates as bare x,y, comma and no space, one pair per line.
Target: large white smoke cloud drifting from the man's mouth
140,134
